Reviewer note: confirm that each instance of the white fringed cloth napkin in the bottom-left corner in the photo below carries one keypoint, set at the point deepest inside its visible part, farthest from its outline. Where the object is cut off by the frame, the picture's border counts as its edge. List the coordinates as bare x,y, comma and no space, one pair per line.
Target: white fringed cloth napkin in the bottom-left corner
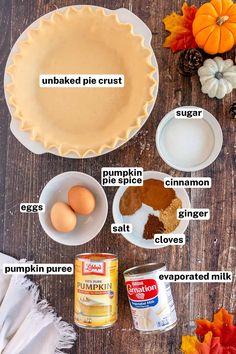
27,325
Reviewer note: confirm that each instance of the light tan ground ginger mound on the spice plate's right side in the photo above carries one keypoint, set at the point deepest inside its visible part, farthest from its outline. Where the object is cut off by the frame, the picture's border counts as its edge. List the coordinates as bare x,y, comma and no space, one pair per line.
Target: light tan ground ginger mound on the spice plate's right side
169,215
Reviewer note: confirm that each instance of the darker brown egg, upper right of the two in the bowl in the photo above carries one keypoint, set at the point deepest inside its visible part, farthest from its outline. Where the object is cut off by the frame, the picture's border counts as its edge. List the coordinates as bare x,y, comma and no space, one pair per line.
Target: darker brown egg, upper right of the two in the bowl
81,200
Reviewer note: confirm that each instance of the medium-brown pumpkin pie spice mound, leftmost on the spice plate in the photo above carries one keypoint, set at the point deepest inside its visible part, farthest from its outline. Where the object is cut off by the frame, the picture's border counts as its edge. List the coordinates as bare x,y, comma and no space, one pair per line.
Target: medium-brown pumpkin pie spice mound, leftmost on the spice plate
130,201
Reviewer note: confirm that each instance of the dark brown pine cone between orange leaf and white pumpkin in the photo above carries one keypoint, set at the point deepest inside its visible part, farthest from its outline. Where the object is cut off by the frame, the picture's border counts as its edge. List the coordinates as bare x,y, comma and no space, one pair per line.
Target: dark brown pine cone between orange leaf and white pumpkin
190,61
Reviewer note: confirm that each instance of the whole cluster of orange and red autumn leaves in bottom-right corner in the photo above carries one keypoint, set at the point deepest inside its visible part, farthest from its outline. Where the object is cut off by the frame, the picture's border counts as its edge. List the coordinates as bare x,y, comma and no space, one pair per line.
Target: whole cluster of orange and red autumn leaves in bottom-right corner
217,337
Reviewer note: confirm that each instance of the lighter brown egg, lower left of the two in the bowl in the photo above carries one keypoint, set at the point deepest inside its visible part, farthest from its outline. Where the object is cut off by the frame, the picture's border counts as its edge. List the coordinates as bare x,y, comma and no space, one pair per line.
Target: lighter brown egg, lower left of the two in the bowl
63,217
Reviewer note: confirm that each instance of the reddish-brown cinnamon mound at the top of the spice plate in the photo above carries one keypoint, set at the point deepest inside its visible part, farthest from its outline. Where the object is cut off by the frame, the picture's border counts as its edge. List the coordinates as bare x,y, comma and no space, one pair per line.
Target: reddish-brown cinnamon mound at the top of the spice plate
156,195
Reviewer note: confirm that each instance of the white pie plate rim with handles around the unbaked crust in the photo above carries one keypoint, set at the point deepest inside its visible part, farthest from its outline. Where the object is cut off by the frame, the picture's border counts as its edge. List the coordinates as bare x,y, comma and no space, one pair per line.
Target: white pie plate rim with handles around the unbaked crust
139,28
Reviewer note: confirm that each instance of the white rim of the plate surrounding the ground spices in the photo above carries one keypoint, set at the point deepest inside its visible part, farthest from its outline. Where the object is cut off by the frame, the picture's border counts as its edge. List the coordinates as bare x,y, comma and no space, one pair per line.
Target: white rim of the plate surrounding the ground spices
131,237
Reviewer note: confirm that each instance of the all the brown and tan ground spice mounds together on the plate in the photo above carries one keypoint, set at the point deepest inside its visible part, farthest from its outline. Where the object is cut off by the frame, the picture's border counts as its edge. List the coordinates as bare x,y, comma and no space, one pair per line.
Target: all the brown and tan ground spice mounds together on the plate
155,195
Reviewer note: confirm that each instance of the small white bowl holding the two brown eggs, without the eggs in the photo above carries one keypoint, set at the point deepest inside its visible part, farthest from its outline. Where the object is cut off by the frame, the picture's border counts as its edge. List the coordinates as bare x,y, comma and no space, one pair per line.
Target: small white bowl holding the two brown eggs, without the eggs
56,190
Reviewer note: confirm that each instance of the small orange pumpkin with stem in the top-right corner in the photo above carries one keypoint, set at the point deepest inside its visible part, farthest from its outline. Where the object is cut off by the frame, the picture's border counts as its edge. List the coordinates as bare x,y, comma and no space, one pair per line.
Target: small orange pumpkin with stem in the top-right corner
214,26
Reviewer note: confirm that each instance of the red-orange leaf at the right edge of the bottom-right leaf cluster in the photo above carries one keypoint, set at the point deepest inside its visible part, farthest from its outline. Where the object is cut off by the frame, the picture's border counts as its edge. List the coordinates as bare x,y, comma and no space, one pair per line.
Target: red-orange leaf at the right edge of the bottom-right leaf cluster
222,327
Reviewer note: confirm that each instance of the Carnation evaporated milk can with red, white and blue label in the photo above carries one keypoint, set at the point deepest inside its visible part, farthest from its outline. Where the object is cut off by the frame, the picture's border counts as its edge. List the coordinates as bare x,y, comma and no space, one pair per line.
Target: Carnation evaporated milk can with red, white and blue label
151,301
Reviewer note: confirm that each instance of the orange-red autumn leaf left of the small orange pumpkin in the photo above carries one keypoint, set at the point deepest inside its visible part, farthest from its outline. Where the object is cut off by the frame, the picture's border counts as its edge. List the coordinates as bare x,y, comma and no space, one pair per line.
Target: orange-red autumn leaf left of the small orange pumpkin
180,27
